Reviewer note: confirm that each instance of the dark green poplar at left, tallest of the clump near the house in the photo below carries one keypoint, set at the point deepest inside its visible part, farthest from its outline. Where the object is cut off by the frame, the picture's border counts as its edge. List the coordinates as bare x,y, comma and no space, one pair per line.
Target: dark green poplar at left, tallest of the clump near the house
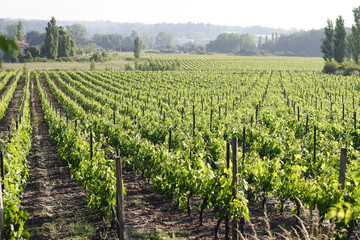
51,43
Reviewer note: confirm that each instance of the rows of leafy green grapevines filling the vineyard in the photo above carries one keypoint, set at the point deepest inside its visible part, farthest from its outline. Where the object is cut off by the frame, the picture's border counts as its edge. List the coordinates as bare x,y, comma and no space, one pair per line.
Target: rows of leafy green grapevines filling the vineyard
218,141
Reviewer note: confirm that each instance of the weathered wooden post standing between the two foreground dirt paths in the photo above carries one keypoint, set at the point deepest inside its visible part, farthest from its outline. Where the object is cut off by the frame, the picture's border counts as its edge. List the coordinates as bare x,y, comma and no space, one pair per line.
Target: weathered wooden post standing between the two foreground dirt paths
119,198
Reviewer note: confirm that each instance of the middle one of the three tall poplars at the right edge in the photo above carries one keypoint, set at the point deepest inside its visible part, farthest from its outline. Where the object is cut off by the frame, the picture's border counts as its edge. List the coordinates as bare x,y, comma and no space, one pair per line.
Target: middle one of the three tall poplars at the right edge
339,40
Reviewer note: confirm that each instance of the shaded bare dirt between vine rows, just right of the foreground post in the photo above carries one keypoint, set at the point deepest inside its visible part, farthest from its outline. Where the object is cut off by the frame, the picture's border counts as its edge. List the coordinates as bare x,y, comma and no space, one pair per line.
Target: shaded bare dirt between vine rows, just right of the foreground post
148,215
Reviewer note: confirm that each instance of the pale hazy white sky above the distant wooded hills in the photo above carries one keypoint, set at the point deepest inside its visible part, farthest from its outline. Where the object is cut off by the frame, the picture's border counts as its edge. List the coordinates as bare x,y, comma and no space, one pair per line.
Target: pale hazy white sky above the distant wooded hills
300,14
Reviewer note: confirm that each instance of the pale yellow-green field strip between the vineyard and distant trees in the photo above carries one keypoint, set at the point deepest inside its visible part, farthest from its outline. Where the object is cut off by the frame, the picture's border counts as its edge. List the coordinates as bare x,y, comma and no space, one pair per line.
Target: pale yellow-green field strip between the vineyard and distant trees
189,62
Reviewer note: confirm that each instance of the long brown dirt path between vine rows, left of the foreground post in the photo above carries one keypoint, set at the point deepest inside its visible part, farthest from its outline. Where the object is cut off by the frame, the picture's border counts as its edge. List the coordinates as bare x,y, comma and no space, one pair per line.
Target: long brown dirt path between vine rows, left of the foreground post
55,203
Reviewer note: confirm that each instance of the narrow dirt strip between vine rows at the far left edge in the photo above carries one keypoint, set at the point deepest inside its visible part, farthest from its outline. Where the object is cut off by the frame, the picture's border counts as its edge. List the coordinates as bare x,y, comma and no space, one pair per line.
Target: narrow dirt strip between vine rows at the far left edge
13,108
